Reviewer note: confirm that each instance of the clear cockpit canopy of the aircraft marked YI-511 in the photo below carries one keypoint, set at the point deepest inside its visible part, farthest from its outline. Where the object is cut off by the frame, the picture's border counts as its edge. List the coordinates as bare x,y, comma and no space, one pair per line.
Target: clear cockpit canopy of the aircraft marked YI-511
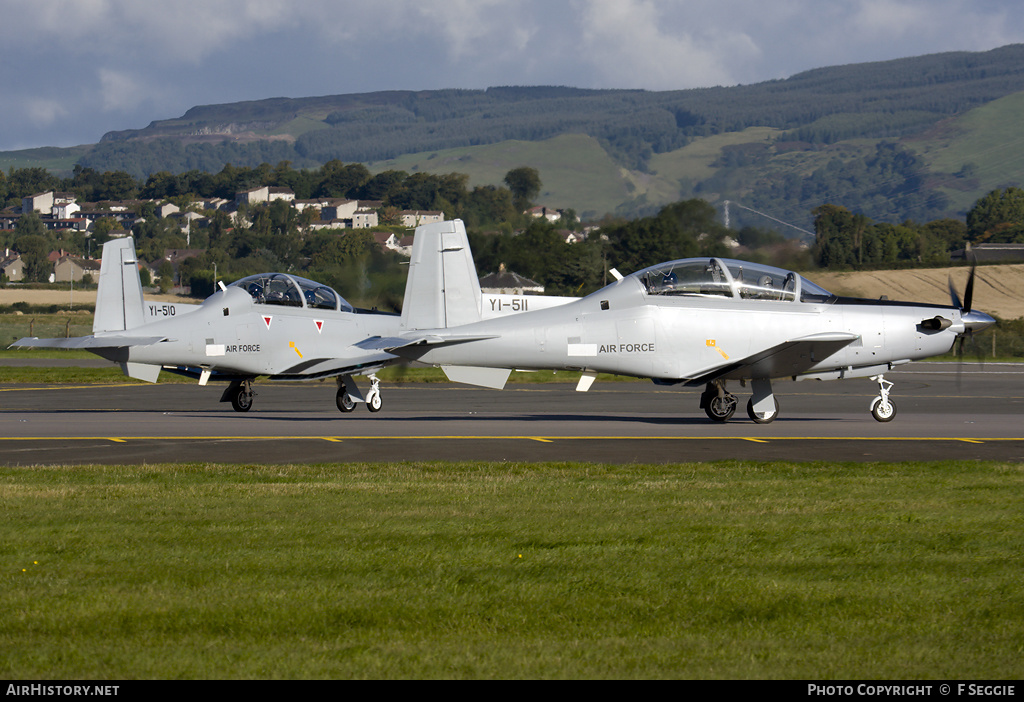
730,279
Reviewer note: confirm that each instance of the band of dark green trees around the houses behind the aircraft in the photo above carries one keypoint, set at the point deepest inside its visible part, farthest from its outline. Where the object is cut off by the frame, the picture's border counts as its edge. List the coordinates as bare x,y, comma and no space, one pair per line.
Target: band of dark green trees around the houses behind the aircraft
275,236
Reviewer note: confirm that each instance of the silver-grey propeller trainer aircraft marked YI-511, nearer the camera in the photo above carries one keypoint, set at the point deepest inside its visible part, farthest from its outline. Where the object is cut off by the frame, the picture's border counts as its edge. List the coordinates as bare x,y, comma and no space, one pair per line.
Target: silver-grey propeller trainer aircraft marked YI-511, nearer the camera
695,323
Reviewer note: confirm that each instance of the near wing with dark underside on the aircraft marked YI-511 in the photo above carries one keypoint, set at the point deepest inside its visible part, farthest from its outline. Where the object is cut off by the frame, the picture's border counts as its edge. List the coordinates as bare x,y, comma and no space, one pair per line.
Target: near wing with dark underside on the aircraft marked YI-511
789,359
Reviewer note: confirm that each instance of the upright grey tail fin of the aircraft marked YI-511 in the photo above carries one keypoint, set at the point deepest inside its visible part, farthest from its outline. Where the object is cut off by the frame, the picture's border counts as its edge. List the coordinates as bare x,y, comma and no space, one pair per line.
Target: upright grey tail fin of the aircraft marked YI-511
443,289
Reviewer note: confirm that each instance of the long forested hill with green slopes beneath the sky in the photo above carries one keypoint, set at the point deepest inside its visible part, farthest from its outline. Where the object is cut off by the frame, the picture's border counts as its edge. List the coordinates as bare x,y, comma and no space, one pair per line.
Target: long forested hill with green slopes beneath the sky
919,139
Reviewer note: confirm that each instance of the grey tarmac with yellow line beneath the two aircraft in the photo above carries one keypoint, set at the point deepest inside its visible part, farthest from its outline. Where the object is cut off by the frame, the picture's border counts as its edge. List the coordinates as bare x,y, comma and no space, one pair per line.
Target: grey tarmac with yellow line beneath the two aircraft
944,414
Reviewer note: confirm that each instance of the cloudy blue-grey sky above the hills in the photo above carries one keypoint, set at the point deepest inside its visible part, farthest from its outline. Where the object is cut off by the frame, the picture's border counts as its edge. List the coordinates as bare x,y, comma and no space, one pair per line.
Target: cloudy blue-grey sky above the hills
73,70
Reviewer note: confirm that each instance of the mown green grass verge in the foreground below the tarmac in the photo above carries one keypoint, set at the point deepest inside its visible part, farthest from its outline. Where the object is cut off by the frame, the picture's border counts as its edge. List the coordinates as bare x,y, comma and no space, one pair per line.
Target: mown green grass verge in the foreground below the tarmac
733,571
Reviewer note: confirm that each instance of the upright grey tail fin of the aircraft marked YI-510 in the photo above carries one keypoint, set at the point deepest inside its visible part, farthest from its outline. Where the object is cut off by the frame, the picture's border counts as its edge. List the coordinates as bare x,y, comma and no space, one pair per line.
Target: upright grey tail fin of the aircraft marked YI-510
119,297
